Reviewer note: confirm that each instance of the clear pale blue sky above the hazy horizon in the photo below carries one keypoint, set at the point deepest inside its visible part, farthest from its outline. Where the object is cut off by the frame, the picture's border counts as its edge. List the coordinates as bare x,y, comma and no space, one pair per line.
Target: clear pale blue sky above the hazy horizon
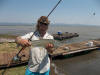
67,12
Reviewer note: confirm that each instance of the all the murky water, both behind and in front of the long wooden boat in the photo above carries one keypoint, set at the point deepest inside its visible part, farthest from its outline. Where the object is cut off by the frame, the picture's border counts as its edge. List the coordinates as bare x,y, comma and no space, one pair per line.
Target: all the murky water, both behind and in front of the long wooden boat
88,64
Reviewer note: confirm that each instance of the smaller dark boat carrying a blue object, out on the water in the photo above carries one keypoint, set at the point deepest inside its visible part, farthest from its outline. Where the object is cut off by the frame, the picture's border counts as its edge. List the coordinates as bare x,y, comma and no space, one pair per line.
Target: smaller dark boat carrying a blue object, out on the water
65,35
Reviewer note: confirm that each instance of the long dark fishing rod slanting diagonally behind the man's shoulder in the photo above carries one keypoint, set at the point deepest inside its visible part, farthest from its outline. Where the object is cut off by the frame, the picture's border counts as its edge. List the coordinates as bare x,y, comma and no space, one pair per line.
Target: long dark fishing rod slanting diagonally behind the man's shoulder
17,55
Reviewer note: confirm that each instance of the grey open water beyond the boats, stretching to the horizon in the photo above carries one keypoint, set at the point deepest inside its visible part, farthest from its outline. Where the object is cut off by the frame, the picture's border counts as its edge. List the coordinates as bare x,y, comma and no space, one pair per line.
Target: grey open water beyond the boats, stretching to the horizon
86,32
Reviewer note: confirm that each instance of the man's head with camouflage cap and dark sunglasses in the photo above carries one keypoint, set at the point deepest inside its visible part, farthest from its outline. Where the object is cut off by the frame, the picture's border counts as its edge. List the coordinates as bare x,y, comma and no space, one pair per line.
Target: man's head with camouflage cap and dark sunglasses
42,24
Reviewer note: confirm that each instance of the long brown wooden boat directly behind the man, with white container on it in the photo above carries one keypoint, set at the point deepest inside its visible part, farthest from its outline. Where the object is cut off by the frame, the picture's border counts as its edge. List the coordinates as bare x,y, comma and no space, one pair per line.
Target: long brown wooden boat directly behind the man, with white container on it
9,49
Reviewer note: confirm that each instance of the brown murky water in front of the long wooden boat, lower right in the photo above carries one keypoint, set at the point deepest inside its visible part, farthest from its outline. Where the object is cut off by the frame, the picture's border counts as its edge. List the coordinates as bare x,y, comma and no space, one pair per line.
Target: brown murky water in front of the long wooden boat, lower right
88,64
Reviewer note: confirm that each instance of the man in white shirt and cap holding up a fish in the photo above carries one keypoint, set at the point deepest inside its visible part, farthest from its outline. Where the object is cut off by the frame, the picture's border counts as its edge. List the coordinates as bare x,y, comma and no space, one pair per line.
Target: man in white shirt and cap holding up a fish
39,62
